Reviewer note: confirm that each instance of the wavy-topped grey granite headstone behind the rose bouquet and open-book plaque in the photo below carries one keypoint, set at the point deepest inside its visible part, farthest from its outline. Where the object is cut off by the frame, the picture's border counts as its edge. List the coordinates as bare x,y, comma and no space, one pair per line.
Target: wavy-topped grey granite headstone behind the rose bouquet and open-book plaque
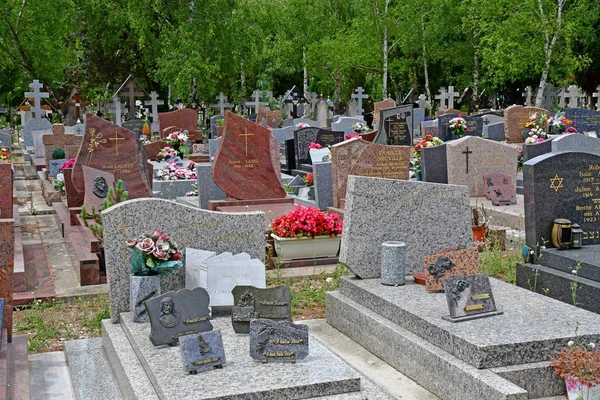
187,226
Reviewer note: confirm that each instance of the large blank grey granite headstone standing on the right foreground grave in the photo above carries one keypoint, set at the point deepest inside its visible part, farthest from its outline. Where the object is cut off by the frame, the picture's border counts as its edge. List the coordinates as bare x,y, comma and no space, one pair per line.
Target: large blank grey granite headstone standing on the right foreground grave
374,207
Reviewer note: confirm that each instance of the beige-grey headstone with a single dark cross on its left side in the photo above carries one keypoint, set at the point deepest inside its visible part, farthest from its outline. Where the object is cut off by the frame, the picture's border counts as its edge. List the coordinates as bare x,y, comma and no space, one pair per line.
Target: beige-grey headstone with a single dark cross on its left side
470,157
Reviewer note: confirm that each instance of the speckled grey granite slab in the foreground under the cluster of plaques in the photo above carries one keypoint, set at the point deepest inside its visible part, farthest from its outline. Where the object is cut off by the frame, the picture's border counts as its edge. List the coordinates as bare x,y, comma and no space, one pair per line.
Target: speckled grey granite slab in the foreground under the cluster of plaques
253,380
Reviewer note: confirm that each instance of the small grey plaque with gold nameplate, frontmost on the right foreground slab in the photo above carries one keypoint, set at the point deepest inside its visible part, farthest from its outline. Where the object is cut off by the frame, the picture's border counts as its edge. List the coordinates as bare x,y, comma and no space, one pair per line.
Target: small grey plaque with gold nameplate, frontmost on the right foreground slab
469,297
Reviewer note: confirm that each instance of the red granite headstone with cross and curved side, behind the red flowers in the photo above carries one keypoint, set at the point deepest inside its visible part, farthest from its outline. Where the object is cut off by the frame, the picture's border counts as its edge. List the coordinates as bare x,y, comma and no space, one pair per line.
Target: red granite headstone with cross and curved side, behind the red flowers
247,166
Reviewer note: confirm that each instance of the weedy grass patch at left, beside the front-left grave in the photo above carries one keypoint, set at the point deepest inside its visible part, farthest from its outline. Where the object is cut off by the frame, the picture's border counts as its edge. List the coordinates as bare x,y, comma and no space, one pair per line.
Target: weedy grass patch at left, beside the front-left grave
49,324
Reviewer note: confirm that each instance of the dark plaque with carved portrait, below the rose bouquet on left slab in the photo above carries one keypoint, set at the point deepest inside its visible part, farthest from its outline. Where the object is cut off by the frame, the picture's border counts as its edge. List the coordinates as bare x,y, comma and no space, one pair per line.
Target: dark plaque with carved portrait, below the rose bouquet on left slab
176,314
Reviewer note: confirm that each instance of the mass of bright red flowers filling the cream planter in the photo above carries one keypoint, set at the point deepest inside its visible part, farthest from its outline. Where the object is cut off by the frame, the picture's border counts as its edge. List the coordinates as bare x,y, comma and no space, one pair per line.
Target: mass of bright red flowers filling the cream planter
307,222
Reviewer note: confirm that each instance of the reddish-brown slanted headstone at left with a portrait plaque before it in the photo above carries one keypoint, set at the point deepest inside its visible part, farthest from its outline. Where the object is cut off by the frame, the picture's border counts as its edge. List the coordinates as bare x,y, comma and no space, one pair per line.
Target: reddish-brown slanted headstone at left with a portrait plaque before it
111,148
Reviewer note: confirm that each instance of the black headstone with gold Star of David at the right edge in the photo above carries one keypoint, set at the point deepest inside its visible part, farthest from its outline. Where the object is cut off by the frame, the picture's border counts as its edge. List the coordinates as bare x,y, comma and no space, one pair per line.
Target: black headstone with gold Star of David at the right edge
560,185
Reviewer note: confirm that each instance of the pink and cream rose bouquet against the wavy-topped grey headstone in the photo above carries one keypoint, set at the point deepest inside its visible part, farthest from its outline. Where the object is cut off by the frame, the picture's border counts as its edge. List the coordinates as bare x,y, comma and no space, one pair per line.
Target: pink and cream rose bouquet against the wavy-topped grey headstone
154,254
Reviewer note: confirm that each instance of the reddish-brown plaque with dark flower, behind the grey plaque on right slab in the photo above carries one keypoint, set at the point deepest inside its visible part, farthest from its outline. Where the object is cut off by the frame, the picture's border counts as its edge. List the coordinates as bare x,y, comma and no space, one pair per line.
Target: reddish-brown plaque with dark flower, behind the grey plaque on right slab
452,263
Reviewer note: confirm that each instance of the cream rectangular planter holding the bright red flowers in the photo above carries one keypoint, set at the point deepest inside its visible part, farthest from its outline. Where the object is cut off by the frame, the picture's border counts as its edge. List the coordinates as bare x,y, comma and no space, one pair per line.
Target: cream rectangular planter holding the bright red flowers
304,247
